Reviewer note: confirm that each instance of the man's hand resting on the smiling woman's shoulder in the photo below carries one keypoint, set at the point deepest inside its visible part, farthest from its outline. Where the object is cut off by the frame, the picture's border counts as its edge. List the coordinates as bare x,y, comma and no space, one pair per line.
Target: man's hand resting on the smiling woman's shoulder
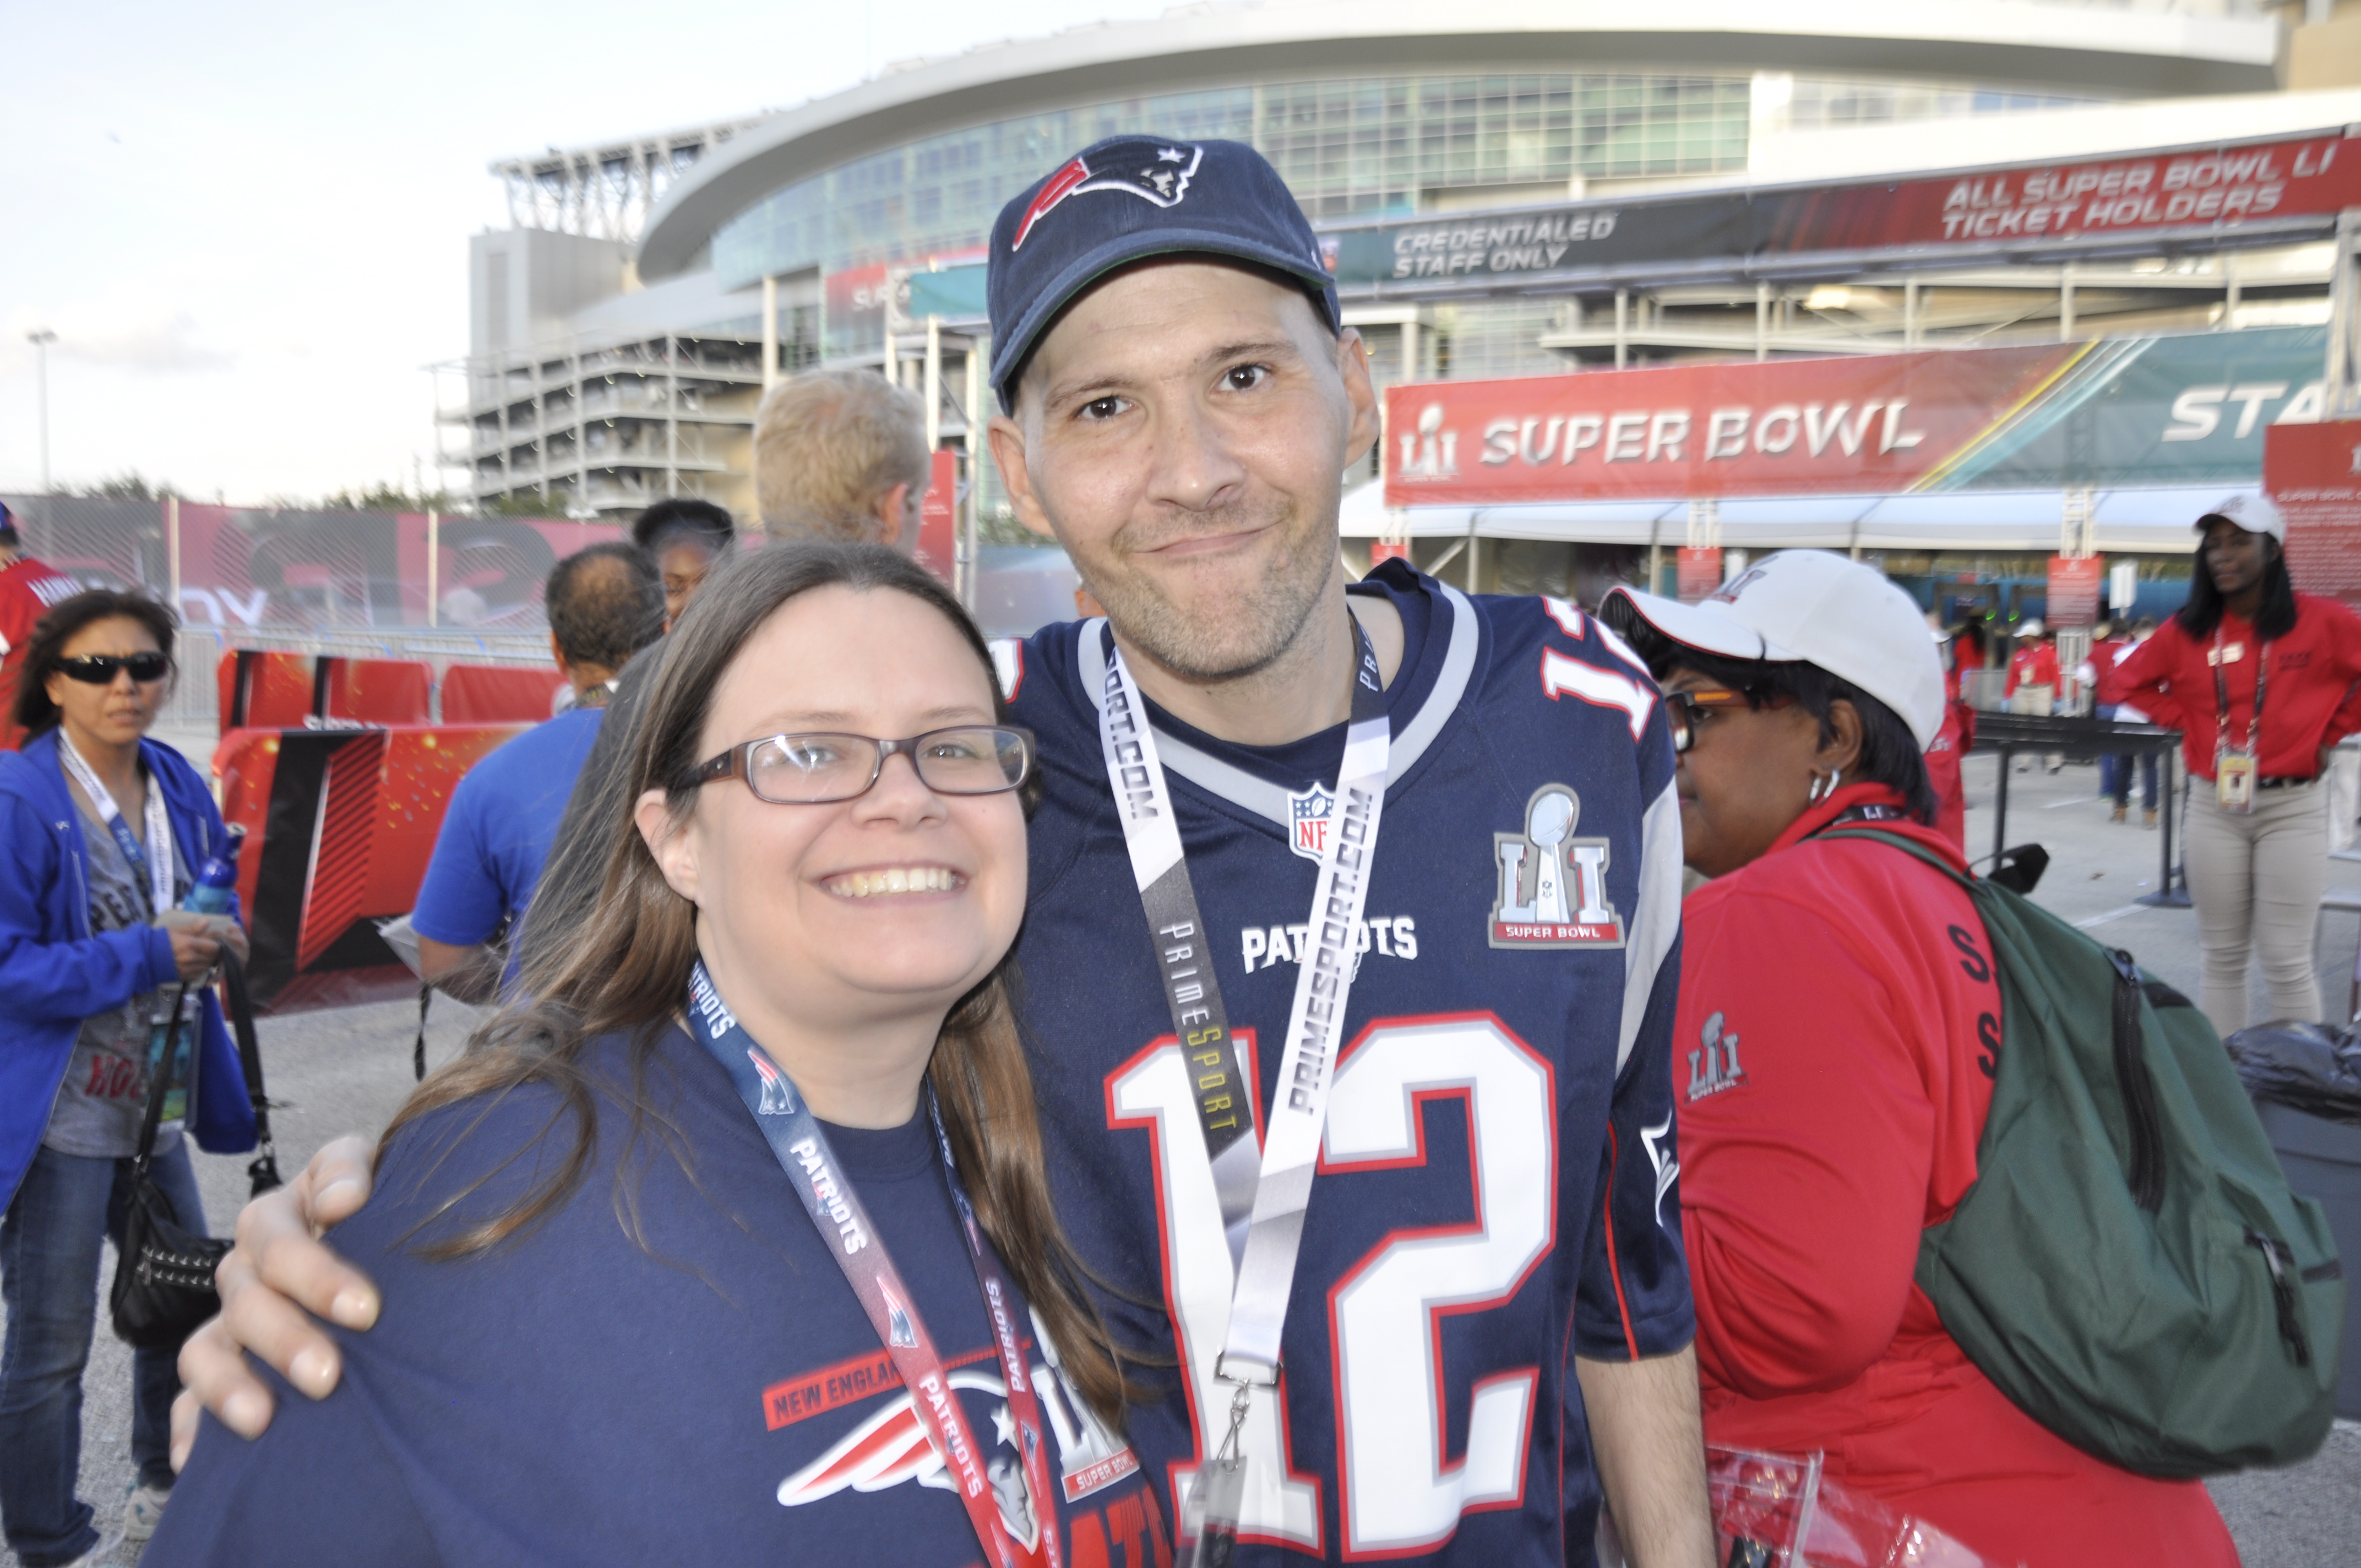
277,1279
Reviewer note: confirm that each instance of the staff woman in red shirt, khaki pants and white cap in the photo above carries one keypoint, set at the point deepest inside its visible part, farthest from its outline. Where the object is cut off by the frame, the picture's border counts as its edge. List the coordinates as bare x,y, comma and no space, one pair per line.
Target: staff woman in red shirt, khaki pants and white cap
2261,684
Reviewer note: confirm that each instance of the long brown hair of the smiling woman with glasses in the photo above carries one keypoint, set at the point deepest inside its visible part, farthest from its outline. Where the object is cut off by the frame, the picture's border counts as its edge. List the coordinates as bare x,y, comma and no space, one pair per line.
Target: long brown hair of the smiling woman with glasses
627,969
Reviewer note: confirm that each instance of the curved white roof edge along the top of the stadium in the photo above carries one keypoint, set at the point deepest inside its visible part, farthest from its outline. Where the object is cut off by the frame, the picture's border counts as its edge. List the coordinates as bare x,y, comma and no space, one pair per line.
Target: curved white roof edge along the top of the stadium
1994,44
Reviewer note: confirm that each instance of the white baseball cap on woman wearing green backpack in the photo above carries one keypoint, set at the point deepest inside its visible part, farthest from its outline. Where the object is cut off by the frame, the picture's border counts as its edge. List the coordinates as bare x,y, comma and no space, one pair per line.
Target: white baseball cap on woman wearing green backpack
1824,610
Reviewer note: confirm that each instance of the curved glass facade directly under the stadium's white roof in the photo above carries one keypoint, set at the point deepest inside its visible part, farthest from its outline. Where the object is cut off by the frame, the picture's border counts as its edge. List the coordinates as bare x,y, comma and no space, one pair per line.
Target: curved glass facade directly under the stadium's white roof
1347,148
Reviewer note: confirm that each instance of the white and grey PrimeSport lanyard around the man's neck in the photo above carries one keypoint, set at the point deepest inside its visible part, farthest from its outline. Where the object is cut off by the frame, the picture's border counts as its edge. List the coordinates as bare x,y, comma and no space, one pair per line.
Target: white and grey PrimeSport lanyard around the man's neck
1262,1201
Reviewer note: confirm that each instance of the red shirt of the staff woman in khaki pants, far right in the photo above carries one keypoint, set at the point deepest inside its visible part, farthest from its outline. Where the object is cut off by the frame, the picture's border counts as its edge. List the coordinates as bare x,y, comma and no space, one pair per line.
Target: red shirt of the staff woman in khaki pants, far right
2310,703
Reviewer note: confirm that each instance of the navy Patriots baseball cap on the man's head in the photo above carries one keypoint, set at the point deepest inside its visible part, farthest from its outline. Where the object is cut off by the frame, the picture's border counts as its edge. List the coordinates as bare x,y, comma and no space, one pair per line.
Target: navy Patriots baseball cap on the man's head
1134,197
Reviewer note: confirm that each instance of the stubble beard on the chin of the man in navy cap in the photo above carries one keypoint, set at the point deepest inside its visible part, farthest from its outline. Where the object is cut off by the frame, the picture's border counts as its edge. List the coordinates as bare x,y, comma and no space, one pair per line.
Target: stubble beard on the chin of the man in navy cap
1234,639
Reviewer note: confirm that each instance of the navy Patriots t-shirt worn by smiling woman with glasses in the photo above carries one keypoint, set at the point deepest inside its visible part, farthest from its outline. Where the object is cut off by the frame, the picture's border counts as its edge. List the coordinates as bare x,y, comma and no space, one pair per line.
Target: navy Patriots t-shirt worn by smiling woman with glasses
714,1397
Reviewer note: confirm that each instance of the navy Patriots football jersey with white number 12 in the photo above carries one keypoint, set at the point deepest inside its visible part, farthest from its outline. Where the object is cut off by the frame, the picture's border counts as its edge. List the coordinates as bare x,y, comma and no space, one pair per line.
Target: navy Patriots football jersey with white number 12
1498,1175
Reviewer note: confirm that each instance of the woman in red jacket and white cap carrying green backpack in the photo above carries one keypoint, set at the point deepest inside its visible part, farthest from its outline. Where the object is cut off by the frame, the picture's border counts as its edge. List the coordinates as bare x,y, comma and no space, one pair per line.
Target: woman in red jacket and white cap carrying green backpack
1838,1019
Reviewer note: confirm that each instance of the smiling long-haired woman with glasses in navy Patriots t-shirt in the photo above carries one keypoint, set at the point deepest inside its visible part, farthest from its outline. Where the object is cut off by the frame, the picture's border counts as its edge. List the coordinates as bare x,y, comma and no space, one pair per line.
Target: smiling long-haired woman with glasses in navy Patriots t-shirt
738,1241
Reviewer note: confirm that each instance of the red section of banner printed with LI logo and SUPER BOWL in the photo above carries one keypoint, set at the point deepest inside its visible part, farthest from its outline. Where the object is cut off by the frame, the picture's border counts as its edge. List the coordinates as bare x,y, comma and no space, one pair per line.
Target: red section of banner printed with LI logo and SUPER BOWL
1800,426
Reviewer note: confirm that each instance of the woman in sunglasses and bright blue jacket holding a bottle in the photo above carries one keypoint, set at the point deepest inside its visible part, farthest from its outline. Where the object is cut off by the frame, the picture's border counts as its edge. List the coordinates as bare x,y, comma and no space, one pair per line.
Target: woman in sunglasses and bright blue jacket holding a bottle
100,835
